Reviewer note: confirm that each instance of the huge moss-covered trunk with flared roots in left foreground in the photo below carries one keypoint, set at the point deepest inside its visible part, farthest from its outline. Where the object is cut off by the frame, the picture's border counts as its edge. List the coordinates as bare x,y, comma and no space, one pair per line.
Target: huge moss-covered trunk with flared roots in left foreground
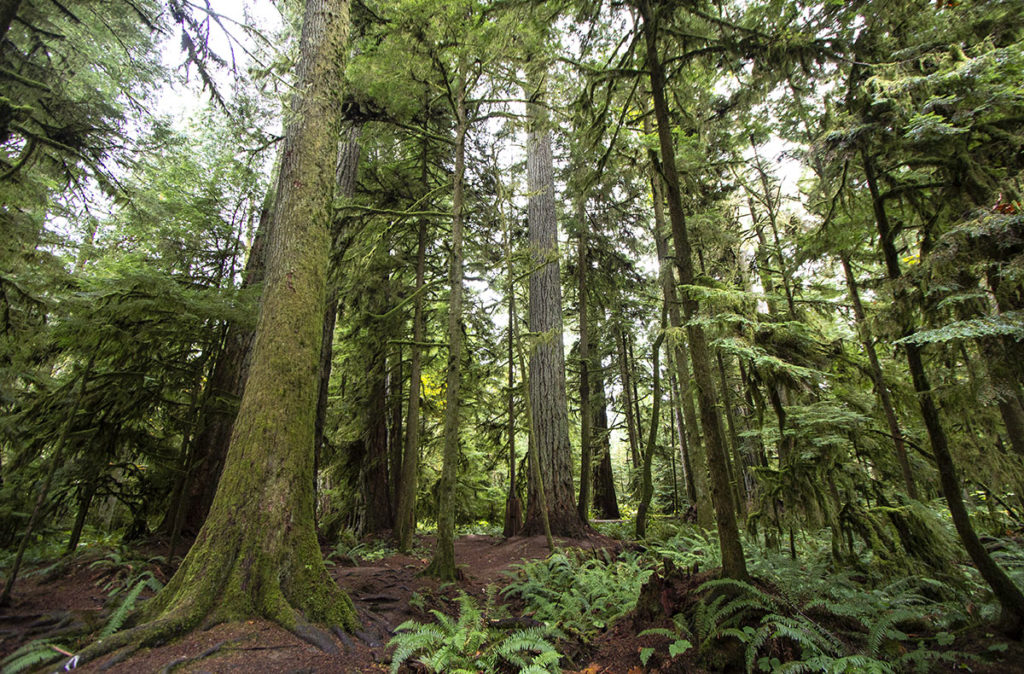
258,554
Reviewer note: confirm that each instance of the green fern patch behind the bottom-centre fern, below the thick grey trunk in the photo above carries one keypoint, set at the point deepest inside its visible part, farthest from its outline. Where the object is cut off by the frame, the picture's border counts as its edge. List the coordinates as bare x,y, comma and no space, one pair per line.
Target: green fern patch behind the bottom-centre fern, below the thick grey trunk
580,596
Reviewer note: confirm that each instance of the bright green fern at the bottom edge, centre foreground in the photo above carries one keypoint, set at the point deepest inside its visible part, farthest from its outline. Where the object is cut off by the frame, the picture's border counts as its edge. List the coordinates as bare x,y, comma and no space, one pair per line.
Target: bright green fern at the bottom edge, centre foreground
471,645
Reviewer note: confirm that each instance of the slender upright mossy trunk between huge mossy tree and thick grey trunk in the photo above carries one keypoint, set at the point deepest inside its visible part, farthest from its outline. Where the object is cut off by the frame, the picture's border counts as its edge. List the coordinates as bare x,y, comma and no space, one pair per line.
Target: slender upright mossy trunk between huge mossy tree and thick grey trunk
443,565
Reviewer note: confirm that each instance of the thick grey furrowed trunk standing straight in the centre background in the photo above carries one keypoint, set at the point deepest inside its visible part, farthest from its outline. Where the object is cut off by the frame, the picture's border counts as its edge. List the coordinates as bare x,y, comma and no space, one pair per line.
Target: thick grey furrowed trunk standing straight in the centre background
547,359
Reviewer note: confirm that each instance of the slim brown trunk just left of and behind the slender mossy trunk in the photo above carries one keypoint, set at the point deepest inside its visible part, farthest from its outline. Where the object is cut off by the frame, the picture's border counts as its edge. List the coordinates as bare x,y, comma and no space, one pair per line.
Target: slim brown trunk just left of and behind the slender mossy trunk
406,515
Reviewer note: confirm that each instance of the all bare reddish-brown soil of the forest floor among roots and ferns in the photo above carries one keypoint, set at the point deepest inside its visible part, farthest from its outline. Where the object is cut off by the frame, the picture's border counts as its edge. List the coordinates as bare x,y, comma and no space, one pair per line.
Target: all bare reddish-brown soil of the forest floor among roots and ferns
388,591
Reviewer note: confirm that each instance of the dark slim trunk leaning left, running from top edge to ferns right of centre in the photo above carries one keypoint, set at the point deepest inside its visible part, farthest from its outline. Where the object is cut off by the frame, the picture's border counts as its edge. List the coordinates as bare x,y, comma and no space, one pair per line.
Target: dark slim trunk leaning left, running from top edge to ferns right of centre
734,565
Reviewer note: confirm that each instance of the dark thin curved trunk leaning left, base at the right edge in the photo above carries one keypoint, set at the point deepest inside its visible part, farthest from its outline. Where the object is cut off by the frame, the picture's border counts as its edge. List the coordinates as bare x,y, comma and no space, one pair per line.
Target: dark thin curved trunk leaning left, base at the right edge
1007,594
